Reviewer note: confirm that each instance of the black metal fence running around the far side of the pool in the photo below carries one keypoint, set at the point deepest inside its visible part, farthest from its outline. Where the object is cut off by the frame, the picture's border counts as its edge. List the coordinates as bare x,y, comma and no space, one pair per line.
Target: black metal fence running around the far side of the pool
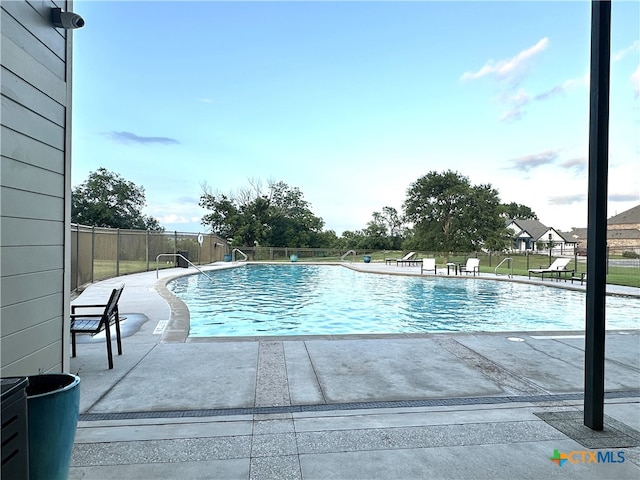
102,253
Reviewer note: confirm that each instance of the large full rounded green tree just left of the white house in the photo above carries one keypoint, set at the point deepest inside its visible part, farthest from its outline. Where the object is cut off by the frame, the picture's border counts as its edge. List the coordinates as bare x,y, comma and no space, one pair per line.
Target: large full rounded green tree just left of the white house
449,214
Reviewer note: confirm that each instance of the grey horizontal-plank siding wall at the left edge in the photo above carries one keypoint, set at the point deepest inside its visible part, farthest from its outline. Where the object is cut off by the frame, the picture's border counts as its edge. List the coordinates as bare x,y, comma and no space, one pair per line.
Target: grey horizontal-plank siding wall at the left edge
34,189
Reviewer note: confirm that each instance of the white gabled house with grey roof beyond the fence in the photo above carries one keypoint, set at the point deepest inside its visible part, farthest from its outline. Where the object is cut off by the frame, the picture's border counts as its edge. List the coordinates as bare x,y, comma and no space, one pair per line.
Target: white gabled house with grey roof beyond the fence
531,234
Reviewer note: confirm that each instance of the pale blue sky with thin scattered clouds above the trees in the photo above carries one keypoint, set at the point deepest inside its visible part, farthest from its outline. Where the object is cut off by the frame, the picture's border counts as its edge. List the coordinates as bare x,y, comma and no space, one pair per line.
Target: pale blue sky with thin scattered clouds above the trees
351,102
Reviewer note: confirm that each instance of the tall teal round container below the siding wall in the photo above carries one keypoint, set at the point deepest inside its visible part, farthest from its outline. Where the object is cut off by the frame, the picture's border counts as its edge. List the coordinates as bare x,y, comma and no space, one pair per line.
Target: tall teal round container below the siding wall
53,406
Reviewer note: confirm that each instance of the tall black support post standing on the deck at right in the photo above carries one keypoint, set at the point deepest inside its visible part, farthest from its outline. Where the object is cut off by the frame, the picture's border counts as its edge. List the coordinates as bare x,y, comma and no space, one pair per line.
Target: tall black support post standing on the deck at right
597,214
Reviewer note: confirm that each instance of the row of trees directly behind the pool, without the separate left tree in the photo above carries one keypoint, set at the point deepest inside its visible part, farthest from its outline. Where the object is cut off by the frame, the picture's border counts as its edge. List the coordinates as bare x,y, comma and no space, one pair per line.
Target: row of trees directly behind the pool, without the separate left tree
442,212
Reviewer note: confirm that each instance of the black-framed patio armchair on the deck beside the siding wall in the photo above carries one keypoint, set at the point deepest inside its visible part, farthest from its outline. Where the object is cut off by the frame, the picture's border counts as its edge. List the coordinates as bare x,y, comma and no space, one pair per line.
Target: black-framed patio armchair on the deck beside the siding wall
96,322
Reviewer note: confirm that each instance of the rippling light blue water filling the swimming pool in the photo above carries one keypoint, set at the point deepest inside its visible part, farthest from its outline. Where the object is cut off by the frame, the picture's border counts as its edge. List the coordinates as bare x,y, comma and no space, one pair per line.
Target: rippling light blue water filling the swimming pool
326,300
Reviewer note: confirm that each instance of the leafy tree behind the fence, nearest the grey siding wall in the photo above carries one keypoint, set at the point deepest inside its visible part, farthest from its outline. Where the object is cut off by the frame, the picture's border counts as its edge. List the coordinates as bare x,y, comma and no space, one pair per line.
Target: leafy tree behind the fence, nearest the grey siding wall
106,199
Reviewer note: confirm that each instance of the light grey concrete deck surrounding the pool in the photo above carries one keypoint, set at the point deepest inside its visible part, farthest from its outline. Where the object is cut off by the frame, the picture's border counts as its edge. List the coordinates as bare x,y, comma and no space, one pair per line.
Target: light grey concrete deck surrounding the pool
385,406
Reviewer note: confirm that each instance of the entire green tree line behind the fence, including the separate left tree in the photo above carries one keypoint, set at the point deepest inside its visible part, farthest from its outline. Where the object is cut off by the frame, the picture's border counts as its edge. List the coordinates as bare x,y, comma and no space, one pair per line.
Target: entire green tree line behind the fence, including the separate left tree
442,212
